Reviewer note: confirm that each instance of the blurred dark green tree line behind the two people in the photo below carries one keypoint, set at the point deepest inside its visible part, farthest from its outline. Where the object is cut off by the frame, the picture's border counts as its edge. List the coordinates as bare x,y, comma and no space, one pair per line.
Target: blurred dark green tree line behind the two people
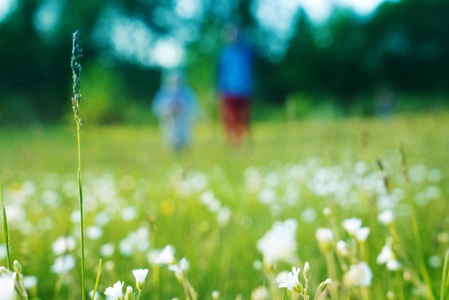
402,47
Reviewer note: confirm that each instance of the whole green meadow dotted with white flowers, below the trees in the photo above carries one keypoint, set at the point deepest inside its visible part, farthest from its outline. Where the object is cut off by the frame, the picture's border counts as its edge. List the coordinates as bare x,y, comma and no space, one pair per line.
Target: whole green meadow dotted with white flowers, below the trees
241,216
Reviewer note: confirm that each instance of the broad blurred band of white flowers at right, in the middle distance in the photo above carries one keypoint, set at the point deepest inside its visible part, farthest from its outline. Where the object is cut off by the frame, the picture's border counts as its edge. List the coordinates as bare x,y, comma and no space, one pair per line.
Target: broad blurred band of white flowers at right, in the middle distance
347,184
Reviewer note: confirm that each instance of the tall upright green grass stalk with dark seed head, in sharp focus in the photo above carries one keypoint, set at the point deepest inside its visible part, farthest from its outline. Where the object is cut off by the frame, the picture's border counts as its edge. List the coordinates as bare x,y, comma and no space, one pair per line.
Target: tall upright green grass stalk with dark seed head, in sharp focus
77,53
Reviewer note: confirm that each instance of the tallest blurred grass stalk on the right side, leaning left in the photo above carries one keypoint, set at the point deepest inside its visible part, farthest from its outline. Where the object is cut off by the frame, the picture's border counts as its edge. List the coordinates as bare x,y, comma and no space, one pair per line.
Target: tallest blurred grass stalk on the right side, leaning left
415,227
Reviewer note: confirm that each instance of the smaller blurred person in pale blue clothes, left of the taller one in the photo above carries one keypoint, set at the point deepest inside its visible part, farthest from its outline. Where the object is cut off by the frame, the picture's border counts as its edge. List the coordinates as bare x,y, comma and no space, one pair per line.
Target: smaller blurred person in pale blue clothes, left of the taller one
176,107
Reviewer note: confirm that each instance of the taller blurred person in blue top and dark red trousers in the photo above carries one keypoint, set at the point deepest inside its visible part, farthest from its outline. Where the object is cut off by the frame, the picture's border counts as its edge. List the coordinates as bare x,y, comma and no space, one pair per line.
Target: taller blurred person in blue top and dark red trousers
235,84
